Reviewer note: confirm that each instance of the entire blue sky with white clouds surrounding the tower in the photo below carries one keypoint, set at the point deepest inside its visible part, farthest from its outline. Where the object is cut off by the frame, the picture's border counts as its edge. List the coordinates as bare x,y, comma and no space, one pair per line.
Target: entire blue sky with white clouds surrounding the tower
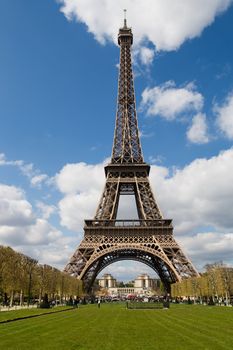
58,89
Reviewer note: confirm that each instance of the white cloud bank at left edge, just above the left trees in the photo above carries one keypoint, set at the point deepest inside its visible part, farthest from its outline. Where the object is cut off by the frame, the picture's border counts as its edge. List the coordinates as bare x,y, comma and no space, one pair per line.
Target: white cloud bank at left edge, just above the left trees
21,229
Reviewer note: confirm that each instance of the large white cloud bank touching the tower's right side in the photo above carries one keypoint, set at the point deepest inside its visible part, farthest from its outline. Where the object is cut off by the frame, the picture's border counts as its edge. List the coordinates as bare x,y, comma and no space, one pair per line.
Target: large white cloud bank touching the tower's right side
199,195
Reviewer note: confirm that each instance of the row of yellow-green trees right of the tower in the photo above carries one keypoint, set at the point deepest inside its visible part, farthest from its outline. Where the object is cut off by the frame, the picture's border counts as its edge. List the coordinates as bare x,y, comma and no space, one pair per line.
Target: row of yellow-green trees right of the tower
216,283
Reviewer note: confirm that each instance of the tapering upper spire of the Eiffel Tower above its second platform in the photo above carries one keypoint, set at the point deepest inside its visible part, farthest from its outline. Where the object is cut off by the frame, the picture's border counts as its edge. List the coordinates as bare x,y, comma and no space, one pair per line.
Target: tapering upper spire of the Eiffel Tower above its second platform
126,145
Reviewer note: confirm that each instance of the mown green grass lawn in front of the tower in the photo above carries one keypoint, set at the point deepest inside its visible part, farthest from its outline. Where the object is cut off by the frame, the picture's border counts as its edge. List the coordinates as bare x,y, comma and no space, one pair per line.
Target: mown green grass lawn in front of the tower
114,327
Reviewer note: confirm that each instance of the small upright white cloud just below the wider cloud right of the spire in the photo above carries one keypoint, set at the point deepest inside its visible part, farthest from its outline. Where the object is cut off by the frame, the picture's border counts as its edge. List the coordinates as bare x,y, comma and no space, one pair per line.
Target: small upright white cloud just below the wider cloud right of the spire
197,133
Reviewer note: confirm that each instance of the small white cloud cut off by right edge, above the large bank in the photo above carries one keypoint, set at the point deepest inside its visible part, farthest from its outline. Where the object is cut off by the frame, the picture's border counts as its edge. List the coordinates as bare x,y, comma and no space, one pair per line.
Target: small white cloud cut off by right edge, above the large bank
225,116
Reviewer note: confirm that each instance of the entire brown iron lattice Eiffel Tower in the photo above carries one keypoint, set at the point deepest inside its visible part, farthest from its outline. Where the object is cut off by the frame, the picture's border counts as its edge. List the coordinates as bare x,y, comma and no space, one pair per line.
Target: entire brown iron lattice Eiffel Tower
150,238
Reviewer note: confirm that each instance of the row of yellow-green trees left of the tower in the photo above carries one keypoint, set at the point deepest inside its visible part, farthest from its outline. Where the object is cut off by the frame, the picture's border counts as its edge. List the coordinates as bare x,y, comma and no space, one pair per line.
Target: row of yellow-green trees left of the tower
23,279
